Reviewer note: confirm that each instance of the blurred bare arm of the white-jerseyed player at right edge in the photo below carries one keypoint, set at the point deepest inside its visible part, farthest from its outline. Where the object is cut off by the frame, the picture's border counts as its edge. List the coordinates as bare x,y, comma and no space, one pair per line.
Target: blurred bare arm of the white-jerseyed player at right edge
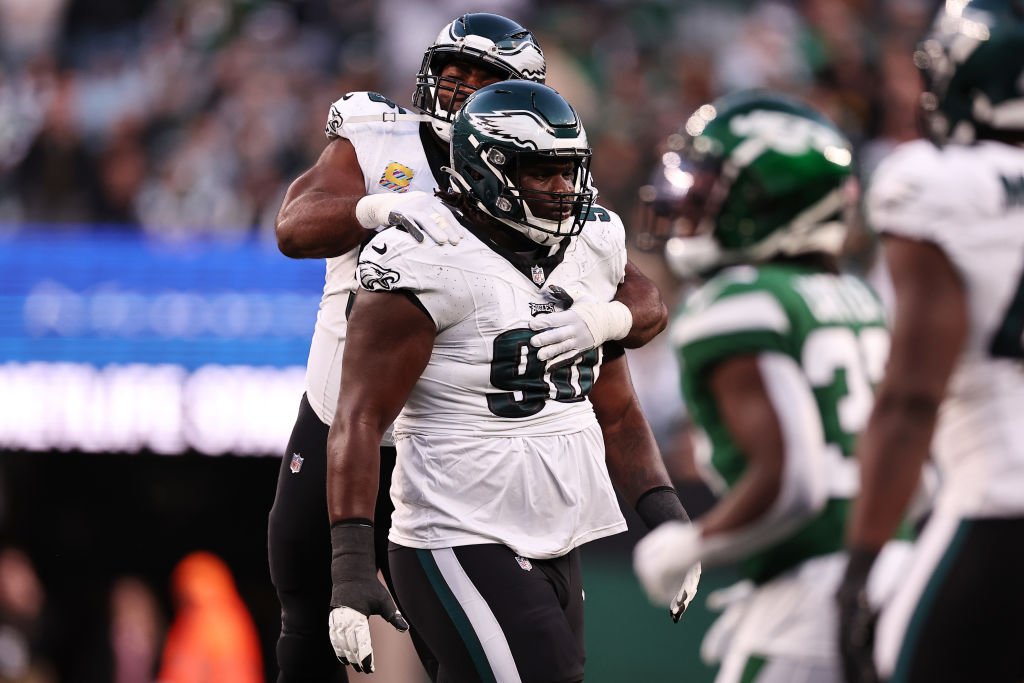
929,332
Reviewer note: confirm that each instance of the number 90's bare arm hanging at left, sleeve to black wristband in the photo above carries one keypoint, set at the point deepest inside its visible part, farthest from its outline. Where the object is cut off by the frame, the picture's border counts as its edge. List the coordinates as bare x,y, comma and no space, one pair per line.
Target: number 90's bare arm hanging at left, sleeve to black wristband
390,345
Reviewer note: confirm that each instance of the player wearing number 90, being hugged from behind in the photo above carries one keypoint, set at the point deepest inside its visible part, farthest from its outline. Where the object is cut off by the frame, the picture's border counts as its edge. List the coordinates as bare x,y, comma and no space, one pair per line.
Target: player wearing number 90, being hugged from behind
504,459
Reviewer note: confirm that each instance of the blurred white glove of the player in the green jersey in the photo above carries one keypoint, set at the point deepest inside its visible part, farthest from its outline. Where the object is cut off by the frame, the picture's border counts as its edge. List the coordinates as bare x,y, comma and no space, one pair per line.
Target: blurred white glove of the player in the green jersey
667,560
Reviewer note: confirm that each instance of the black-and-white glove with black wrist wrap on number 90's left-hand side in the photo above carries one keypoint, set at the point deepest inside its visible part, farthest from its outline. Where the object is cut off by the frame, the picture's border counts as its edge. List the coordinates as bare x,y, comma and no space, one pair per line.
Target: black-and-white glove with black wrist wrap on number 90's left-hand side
356,594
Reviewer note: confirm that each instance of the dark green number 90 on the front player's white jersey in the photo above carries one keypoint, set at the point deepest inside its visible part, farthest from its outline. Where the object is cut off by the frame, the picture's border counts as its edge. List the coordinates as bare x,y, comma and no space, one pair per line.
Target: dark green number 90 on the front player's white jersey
521,375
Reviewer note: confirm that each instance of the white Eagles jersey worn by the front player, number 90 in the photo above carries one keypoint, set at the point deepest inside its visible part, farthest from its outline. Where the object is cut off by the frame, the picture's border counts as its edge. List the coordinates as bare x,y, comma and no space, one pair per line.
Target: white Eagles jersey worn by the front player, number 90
493,447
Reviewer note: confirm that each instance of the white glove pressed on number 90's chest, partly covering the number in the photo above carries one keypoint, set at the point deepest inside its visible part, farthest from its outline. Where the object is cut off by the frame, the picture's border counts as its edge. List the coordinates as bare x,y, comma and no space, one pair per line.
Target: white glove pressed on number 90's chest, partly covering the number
587,325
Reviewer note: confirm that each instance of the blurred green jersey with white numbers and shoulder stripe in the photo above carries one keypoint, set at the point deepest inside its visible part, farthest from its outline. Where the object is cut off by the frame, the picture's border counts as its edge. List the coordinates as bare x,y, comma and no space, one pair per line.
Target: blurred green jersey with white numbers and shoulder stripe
834,328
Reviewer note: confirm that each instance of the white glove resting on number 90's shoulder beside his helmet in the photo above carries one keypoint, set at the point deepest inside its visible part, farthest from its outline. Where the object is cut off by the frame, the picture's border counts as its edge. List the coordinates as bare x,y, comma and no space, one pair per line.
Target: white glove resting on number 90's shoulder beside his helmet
418,212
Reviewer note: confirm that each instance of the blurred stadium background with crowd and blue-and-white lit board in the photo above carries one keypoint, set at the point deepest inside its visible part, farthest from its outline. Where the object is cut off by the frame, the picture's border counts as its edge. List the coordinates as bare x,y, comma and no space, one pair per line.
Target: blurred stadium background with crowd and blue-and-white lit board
152,337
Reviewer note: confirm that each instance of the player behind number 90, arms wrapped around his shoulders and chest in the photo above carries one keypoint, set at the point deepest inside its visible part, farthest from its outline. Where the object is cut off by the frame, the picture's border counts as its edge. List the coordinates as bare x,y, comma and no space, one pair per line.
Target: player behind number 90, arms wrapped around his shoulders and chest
381,157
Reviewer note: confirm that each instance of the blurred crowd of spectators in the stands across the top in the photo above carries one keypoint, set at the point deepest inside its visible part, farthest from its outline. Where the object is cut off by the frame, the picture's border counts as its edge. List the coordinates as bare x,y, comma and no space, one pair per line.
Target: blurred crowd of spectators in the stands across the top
186,117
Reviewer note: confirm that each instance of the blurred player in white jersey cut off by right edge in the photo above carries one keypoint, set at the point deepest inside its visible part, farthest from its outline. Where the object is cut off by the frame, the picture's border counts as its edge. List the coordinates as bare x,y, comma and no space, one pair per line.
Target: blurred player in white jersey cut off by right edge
951,211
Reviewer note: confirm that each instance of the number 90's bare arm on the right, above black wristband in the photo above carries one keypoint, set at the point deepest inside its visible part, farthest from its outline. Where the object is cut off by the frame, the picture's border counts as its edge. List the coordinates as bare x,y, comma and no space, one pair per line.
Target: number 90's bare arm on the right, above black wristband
631,453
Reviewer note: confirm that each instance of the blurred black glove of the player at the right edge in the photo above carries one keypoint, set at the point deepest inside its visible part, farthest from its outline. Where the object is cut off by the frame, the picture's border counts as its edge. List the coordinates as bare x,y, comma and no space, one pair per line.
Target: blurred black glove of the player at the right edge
858,620
